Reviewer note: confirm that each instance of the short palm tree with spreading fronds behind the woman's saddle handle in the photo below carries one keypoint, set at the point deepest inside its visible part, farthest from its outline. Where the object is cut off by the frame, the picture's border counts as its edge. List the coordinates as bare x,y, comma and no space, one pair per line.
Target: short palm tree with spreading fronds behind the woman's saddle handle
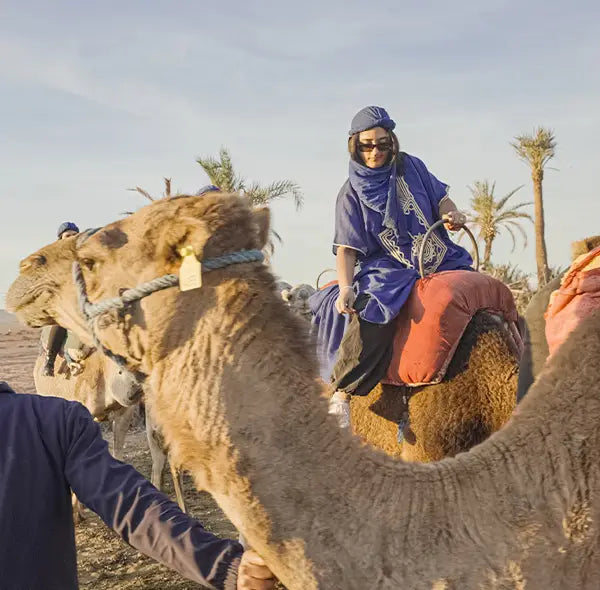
491,216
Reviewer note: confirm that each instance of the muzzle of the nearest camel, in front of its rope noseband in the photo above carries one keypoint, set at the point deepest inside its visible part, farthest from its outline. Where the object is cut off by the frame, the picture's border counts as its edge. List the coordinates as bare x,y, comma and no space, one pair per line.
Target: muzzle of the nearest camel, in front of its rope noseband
39,294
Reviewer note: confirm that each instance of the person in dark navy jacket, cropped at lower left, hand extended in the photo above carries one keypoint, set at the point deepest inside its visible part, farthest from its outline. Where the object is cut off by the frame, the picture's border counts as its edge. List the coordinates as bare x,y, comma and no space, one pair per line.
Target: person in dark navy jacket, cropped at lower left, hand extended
49,446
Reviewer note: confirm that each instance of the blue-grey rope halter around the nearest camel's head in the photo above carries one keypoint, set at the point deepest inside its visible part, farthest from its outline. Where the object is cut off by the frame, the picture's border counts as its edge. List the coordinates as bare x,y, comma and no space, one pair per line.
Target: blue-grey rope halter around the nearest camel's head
91,310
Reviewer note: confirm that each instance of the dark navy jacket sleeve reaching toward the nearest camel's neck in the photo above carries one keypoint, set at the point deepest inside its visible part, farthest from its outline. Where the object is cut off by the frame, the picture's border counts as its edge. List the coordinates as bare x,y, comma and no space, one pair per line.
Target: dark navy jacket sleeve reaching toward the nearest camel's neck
144,517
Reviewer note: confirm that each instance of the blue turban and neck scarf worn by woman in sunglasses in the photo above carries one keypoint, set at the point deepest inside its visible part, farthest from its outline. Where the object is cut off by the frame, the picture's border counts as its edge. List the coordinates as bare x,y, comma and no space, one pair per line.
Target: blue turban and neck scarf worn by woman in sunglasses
375,187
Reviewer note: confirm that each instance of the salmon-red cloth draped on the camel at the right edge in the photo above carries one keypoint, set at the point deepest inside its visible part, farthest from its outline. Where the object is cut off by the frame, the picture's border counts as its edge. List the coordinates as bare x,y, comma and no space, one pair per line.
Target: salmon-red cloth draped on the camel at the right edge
577,296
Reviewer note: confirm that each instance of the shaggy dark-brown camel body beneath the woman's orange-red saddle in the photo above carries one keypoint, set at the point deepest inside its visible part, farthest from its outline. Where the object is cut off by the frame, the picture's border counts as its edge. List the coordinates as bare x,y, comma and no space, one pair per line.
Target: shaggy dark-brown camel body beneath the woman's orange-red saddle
475,398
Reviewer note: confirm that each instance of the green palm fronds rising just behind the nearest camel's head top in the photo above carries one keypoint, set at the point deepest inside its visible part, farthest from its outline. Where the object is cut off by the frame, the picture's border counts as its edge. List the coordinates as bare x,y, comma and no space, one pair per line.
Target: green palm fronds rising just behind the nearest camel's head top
222,174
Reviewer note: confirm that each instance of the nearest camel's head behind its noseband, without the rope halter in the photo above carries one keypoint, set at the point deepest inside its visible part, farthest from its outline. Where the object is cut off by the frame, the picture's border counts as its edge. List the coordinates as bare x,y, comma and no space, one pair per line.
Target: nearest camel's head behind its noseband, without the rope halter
147,245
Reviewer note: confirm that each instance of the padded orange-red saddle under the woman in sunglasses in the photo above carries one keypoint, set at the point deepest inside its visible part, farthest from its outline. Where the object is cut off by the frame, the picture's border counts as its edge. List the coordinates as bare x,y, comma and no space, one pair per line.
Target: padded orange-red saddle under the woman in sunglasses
434,318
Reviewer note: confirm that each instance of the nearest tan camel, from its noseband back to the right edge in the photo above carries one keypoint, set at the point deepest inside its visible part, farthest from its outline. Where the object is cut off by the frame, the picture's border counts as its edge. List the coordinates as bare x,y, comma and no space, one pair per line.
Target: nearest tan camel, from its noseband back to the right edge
234,387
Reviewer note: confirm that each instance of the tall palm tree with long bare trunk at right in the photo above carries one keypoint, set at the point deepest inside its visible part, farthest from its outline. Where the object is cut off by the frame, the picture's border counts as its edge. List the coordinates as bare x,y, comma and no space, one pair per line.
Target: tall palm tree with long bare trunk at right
537,150
